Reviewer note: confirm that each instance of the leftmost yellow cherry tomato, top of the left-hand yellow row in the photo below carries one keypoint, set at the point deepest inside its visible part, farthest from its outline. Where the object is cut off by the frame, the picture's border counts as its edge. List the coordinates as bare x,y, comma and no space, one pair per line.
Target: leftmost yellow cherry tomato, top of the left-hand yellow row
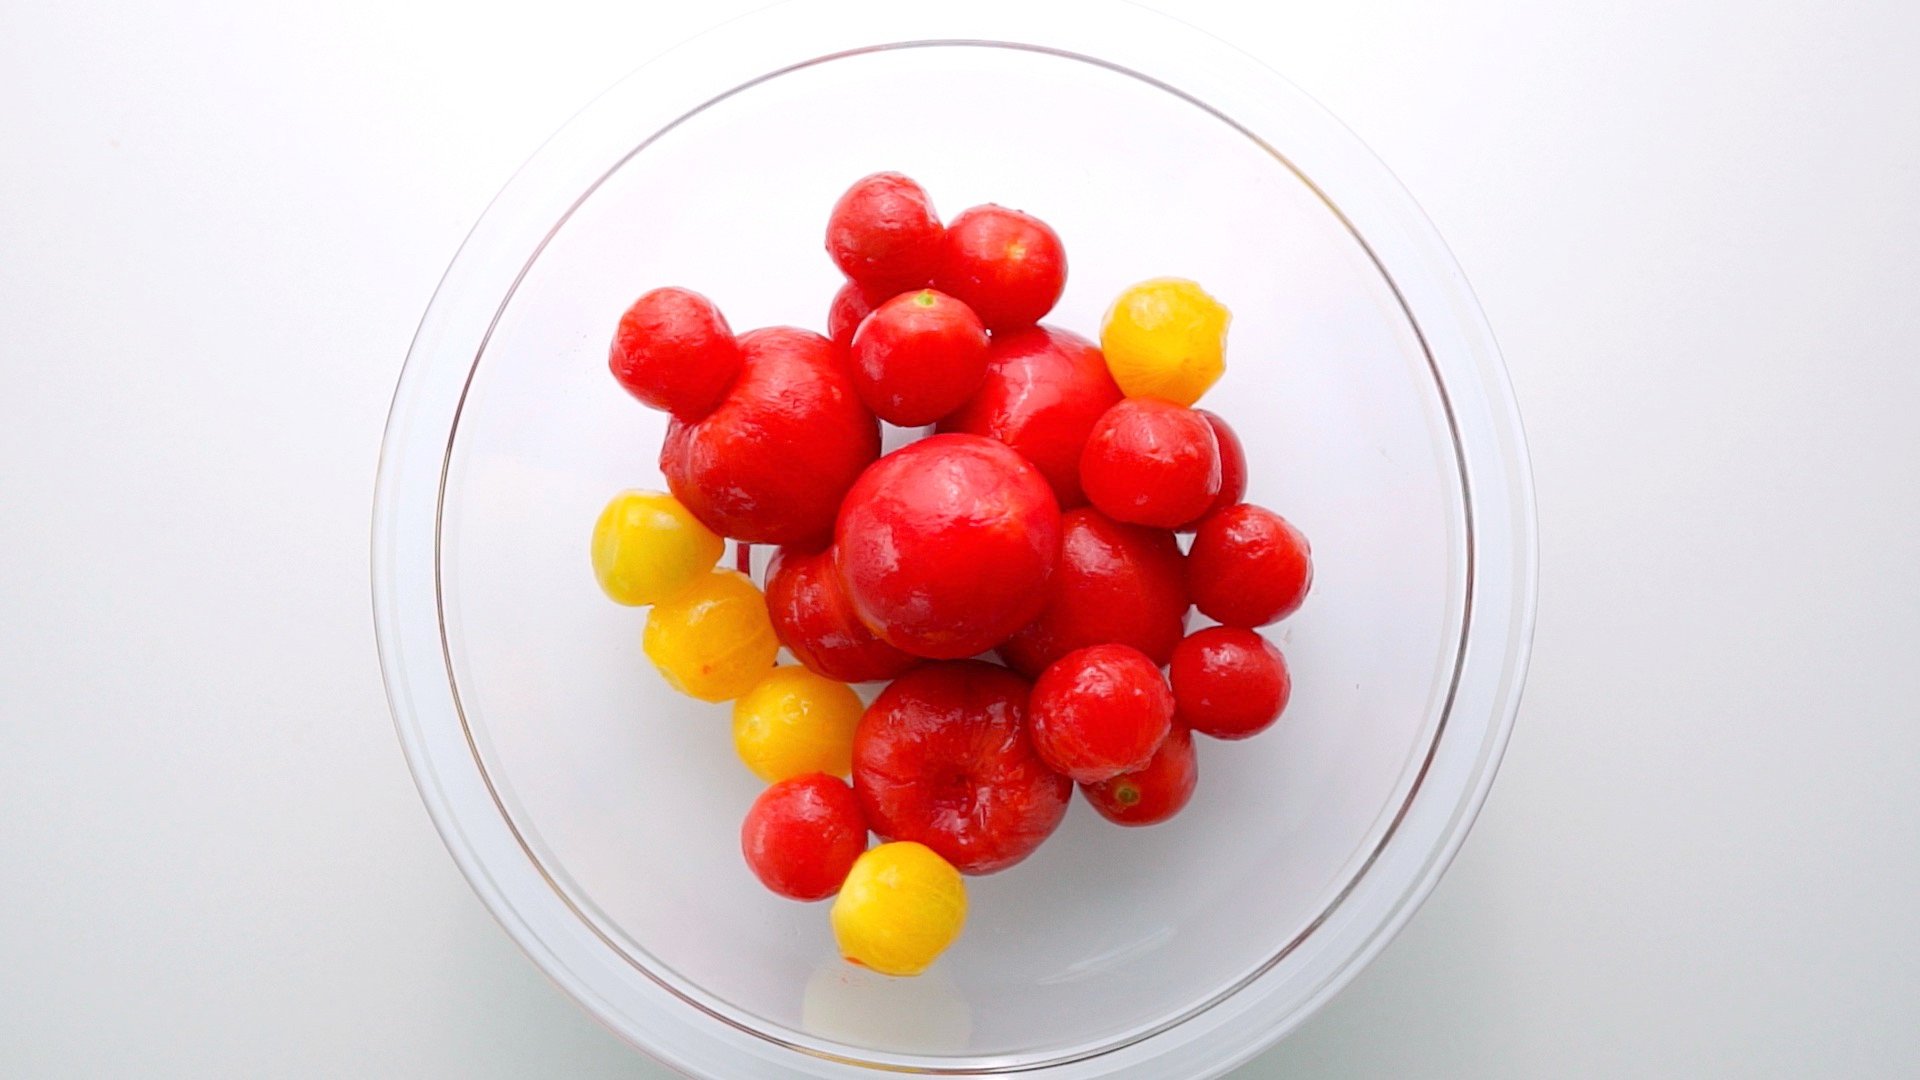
648,549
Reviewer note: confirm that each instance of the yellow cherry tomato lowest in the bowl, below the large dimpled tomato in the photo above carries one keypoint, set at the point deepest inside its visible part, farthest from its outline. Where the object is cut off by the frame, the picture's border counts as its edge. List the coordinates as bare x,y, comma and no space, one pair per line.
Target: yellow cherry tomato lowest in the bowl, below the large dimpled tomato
900,908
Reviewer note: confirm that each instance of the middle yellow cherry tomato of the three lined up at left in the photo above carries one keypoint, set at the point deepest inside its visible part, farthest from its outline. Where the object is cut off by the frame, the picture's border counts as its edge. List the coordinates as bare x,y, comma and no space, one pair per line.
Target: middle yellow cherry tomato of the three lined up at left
713,641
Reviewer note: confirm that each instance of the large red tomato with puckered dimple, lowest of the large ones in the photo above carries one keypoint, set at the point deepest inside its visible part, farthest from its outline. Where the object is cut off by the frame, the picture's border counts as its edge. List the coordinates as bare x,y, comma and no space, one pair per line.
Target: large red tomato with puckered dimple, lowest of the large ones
944,758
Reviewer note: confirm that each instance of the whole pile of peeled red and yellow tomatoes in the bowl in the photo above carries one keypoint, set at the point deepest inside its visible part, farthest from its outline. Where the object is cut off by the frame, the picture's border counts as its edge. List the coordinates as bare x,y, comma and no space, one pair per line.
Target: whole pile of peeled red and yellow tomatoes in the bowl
1015,577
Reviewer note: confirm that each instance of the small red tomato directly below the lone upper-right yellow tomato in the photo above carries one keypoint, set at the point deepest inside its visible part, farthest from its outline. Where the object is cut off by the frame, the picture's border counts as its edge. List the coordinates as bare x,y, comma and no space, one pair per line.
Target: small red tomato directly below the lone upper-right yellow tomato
1151,462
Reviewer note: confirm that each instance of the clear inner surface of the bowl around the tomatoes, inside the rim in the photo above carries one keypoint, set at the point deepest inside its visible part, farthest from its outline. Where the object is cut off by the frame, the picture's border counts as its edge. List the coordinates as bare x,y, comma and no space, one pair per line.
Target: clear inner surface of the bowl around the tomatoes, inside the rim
629,795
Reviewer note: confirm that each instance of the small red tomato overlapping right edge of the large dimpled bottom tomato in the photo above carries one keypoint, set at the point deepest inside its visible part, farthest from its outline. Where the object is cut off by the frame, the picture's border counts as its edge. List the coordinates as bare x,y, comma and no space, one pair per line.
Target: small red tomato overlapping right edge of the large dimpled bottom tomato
1101,712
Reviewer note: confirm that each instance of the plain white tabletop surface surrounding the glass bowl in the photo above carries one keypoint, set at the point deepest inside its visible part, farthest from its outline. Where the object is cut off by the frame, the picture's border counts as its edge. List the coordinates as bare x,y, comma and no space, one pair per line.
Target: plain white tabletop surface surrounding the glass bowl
1694,226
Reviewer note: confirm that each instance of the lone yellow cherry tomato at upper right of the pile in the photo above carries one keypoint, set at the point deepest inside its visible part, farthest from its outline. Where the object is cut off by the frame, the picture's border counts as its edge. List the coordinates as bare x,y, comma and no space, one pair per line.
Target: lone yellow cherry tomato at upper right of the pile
1166,339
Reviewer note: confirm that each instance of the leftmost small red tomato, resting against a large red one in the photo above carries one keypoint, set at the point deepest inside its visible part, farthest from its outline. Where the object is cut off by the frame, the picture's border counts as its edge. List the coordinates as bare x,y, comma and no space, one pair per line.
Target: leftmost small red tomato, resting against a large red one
675,353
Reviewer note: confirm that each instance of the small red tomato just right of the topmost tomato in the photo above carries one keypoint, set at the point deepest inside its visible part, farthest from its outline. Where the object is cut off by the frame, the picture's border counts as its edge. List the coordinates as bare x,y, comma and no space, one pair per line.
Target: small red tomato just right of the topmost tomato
1007,266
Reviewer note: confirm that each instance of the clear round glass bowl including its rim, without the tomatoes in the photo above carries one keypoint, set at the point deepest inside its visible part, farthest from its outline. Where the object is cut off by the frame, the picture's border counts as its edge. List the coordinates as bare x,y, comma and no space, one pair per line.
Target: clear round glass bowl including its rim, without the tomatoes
598,814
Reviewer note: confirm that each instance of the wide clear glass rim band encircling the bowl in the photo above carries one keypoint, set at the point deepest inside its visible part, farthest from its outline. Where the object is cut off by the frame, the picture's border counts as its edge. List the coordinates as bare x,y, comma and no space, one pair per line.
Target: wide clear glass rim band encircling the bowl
675,1025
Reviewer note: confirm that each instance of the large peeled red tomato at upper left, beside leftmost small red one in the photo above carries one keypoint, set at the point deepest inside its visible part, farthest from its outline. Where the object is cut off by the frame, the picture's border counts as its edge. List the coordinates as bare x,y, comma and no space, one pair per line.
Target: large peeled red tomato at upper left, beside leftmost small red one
775,460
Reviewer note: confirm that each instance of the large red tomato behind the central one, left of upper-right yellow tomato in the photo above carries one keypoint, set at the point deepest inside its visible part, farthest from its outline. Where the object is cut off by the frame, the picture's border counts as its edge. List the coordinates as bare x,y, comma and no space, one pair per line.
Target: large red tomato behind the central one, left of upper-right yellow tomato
1044,393
